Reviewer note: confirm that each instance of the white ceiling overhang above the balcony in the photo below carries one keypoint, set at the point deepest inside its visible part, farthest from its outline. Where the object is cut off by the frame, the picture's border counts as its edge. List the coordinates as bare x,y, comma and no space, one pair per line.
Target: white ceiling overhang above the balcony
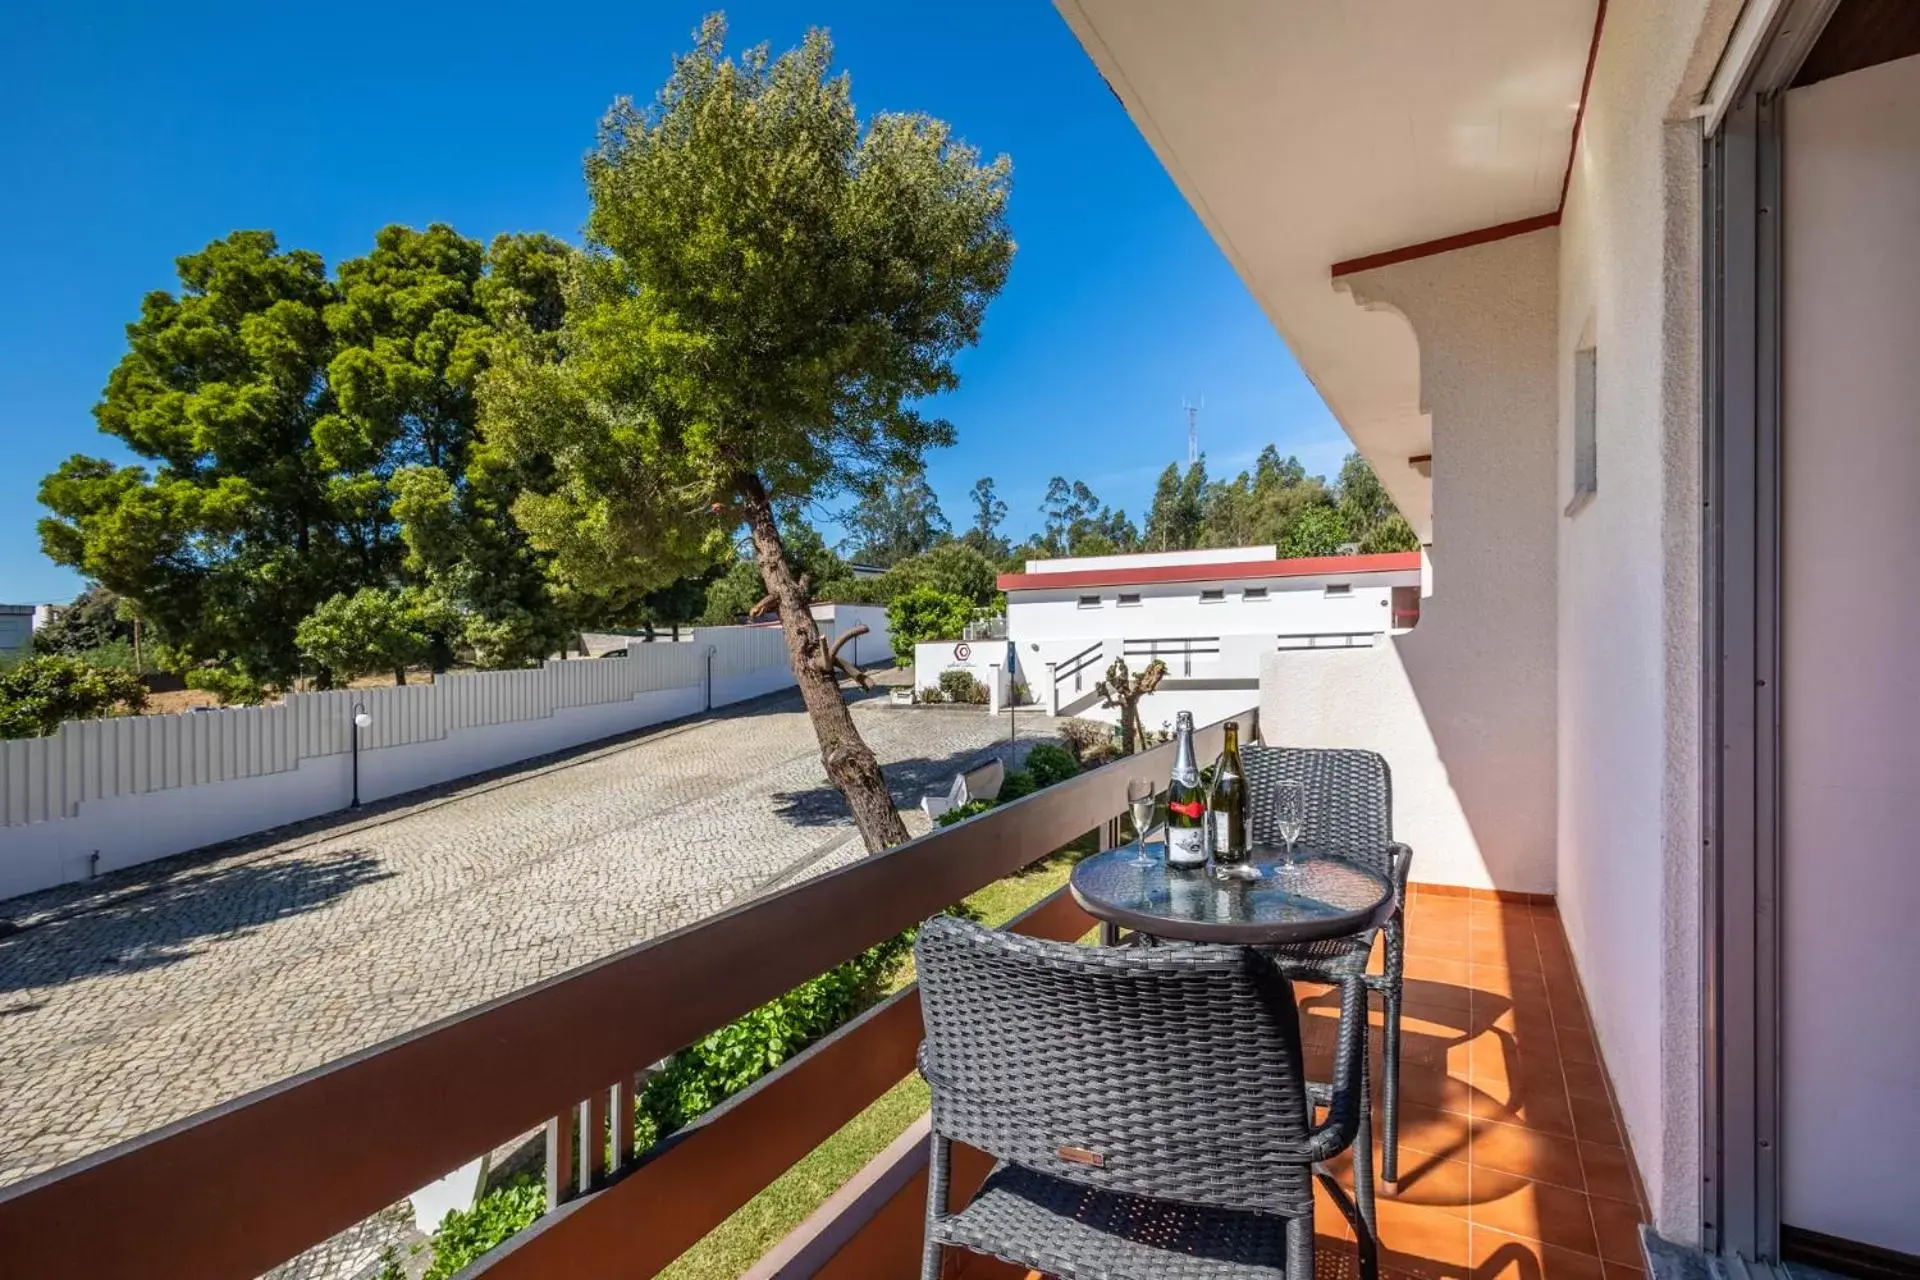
1312,135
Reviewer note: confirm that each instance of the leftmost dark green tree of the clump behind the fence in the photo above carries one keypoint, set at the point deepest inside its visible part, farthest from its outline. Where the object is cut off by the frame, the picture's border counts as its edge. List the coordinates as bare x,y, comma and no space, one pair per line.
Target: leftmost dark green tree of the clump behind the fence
235,529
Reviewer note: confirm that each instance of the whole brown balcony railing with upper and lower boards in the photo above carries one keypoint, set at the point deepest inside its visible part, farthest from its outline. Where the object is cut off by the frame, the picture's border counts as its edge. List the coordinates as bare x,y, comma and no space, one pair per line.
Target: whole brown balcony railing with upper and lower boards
249,1185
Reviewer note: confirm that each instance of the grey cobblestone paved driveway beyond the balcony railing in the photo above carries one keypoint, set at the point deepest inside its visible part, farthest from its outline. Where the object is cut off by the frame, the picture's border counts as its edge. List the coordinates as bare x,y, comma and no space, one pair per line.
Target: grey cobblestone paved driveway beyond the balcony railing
139,1001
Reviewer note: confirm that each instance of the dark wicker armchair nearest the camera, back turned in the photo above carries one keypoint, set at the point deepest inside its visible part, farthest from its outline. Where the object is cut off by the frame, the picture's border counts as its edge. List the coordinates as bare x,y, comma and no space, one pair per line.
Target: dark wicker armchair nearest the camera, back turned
1147,1108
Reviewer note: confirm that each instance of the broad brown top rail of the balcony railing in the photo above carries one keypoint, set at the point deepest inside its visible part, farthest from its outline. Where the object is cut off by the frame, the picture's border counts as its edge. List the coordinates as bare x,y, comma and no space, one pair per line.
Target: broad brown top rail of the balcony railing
251,1183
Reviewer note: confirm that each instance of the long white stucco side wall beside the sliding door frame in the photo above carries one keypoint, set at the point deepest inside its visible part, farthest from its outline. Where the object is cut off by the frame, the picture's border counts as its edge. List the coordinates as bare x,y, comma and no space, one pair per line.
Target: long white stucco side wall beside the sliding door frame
1629,584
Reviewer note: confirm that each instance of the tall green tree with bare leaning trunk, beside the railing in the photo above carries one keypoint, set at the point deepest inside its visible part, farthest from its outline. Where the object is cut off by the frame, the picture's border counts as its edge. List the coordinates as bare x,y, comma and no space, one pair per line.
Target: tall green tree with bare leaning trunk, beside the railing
771,295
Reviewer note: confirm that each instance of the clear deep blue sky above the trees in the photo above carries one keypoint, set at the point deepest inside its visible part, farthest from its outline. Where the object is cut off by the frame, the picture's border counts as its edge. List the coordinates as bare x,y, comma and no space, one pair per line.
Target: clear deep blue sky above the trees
139,133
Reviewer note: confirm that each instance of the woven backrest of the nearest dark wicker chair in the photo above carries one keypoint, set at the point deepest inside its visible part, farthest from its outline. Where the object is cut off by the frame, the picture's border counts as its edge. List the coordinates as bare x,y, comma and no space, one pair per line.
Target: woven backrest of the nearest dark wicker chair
1172,1072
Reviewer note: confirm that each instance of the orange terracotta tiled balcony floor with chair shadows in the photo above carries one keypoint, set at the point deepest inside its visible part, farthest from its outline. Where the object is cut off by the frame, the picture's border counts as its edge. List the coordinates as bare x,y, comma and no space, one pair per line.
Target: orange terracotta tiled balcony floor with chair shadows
1512,1154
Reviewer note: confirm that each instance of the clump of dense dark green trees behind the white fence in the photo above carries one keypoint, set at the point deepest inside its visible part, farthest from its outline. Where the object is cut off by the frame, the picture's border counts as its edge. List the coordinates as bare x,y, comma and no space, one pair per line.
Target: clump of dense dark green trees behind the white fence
308,439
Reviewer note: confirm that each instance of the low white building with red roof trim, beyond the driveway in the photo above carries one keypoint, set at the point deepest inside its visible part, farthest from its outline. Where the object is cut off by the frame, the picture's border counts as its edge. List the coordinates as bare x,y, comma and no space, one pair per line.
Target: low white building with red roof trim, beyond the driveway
1209,615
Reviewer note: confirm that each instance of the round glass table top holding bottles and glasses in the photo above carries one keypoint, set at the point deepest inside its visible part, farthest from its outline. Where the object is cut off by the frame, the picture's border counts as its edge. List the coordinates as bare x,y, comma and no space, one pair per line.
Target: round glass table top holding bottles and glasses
1322,897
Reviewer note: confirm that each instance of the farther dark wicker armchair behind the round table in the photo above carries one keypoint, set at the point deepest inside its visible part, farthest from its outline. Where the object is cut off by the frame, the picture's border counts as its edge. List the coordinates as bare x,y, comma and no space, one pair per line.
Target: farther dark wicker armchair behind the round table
1351,809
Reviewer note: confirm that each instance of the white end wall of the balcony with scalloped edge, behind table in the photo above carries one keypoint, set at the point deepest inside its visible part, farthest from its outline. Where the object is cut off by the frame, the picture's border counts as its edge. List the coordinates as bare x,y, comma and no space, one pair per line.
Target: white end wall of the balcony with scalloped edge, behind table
1476,682
